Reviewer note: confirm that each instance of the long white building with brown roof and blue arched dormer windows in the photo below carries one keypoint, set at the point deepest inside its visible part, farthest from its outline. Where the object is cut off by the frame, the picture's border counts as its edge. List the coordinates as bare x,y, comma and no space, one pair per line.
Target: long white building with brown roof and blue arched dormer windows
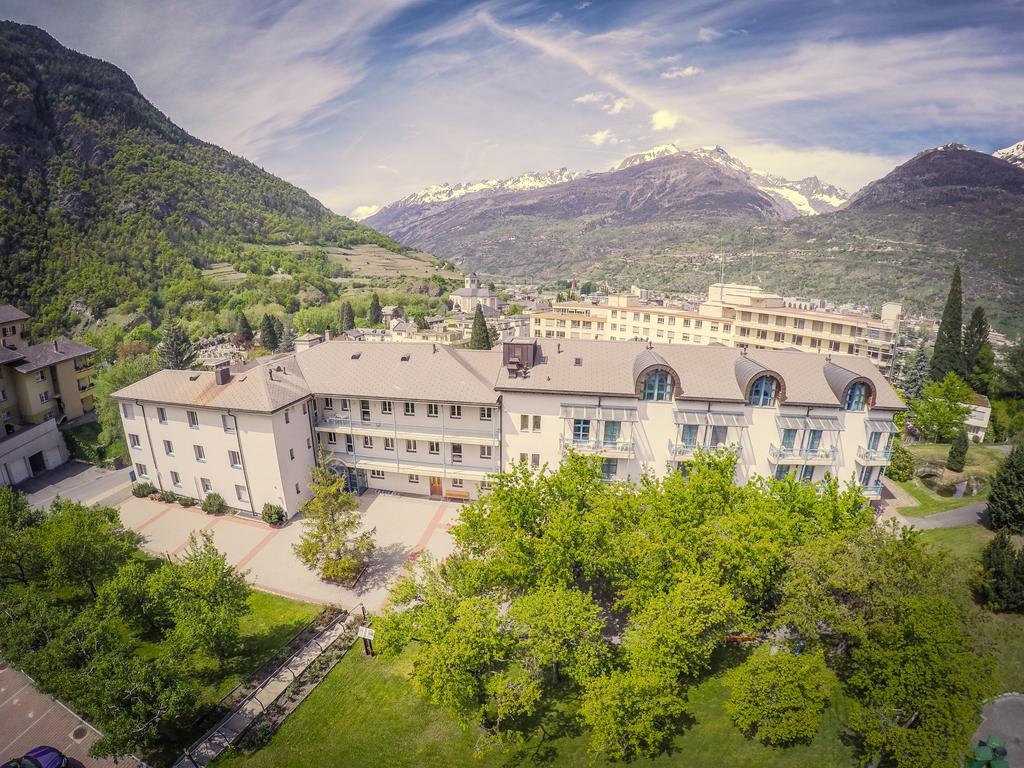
432,420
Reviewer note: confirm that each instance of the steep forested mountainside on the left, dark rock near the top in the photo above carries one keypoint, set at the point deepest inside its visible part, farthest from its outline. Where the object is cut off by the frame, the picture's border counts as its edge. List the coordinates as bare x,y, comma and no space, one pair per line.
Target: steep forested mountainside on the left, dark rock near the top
106,203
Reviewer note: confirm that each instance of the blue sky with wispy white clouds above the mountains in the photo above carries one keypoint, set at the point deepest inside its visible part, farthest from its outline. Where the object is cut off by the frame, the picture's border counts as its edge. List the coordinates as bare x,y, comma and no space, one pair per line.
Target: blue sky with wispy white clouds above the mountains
362,102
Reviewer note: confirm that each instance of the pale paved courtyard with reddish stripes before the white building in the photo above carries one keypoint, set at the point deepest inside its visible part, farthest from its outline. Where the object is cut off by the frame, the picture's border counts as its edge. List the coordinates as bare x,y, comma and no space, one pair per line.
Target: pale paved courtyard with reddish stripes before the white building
406,527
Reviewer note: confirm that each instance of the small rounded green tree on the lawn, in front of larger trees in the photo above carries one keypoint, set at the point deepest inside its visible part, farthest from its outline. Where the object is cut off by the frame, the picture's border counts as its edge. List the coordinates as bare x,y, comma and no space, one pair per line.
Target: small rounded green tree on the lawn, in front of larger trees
779,696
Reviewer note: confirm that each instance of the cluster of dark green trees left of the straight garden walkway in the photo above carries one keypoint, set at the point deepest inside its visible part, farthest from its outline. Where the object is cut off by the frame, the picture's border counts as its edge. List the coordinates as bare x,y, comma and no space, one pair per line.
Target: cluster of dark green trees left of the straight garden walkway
78,600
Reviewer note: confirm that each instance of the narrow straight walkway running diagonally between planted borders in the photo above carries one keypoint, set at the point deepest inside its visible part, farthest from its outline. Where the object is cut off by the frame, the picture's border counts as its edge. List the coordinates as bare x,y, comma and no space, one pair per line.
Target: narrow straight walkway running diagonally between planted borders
228,732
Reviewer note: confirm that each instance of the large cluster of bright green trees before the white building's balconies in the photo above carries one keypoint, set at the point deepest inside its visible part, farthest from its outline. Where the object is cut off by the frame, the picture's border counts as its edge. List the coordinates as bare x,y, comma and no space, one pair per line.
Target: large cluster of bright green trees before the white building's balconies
565,589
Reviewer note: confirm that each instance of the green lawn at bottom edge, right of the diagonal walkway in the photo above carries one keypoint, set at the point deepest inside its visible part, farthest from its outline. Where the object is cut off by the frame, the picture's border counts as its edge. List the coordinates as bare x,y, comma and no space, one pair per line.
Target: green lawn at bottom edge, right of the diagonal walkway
366,714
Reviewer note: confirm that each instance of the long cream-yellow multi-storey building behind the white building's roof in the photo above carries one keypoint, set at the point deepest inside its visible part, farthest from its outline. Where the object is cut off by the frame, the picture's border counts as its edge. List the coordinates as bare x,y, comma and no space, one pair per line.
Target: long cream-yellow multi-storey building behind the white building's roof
744,317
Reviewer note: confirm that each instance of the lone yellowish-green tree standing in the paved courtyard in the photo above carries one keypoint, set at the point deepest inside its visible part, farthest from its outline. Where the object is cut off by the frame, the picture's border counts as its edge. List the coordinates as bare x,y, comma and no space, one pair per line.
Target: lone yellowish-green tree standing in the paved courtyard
331,542
